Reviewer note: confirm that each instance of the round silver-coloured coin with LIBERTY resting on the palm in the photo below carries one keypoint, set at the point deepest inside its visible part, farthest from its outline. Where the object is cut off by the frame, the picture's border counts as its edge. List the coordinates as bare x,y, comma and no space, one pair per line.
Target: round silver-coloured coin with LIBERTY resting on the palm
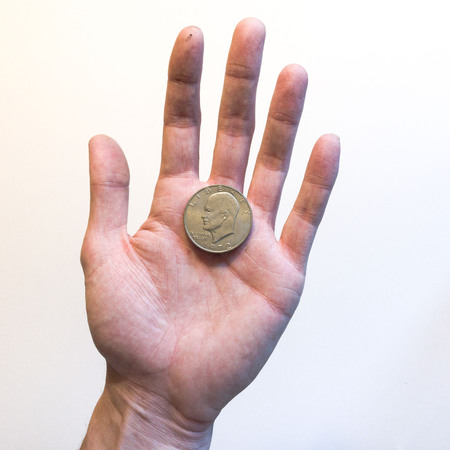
218,218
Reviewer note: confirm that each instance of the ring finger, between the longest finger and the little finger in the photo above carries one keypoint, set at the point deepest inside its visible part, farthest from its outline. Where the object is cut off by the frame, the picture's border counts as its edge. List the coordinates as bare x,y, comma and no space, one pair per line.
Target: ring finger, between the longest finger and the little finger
274,156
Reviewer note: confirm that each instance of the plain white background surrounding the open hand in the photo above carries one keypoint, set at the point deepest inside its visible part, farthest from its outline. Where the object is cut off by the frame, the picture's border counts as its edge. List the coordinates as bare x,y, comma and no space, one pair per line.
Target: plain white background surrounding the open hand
365,363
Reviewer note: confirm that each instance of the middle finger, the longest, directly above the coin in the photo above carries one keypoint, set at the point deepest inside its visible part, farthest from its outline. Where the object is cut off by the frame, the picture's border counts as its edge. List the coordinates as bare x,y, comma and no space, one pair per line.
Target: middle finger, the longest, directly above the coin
237,109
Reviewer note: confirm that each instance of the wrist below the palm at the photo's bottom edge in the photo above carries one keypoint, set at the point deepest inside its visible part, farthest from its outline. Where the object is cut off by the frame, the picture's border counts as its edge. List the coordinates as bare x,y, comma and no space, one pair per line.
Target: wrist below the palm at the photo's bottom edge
125,417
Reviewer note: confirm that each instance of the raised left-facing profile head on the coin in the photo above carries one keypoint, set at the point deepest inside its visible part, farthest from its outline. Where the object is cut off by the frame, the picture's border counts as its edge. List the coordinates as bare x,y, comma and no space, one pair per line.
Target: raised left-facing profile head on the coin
219,219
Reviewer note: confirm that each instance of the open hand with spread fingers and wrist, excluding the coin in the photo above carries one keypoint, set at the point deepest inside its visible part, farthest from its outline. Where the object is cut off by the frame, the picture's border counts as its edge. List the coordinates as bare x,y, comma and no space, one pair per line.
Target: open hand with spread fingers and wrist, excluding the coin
183,331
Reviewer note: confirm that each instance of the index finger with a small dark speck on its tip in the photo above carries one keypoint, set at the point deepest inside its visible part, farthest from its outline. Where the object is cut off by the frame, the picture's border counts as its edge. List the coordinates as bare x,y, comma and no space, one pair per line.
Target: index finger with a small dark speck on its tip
182,109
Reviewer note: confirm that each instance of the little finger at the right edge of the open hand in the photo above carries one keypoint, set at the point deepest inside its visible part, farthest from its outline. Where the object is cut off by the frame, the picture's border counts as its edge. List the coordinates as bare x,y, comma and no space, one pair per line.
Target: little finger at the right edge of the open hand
301,226
